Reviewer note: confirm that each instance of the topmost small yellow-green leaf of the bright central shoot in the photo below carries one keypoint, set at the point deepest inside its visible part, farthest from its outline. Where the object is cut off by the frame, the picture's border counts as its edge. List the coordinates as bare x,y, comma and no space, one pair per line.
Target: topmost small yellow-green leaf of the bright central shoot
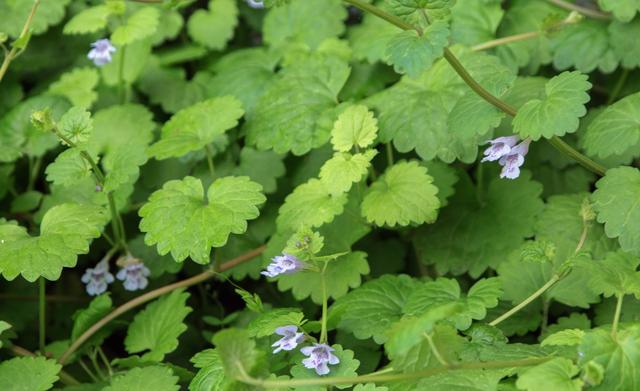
355,127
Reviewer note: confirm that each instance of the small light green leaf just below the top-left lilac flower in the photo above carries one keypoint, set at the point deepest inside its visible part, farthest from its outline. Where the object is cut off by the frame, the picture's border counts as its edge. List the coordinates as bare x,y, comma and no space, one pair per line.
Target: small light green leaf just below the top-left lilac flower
78,86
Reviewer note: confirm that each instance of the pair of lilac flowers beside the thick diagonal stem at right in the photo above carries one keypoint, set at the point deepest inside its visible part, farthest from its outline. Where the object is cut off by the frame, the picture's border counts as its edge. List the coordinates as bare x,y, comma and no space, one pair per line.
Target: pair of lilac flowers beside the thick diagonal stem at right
509,154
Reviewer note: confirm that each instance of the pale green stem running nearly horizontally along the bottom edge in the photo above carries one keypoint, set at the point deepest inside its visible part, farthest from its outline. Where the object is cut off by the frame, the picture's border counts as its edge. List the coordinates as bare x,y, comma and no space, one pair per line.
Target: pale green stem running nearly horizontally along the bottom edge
245,378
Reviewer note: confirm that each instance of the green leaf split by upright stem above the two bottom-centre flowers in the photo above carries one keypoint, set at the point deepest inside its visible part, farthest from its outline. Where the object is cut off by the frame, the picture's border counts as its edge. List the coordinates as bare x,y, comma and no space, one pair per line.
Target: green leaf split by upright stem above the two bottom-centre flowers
341,274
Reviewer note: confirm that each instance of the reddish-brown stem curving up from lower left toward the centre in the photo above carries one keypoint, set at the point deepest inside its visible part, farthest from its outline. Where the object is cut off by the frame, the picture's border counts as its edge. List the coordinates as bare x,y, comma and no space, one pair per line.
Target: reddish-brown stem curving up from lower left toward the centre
207,274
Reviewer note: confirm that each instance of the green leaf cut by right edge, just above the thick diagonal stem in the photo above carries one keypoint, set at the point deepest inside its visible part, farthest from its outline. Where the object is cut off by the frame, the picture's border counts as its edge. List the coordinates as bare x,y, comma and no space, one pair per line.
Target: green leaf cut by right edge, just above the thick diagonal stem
616,130
